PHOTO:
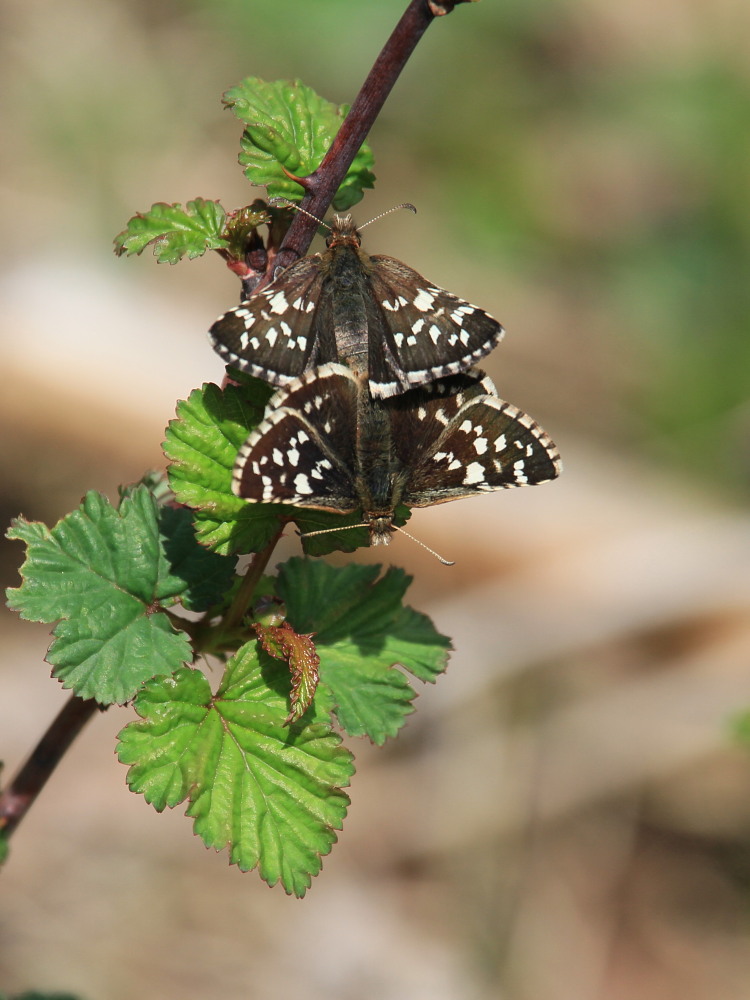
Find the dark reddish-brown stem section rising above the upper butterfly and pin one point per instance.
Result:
(322, 184)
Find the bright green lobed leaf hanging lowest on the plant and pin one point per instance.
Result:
(272, 795)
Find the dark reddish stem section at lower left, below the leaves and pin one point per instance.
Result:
(20, 794)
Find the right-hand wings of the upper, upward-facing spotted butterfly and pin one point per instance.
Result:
(419, 332)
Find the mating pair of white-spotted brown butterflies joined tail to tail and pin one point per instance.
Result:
(401, 420)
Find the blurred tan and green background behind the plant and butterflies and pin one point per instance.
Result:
(567, 814)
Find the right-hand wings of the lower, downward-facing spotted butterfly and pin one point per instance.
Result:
(482, 444)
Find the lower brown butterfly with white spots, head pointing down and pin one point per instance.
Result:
(325, 443)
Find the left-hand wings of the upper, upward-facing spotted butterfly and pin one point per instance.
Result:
(281, 332)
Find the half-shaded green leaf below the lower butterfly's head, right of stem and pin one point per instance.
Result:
(363, 634)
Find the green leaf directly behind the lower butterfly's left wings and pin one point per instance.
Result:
(202, 444)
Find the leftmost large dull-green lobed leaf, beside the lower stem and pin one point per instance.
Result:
(106, 573)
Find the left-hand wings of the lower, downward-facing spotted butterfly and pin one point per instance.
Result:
(304, 451)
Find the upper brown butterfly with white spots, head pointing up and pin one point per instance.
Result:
(372, 313)
